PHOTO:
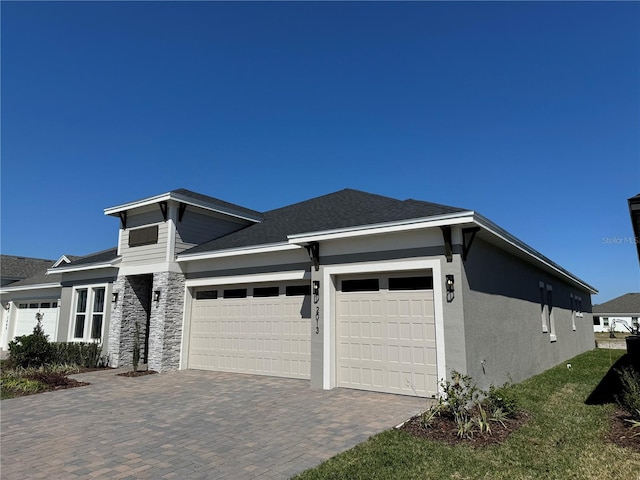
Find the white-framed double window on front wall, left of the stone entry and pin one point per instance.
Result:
(89, 313)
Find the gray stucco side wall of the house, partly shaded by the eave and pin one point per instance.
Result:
(503, 318)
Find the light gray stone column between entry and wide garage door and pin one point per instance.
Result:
(165, 333)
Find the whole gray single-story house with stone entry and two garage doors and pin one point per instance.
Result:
(349, 289)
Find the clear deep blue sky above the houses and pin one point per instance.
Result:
(527, 112)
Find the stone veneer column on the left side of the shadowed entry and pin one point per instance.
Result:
(131, 307)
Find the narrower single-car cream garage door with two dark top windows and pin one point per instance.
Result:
(386, 334)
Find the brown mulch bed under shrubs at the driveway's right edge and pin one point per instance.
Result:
(444, 429)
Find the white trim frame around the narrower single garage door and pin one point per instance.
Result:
(329, 380)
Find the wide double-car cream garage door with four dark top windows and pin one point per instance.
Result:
(260, 329)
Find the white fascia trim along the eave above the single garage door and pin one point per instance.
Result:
(391, 227)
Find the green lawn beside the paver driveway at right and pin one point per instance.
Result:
(563, 439)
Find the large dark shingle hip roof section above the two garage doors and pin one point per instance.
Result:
(346, 208)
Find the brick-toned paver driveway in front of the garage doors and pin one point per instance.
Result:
(188, 425)
